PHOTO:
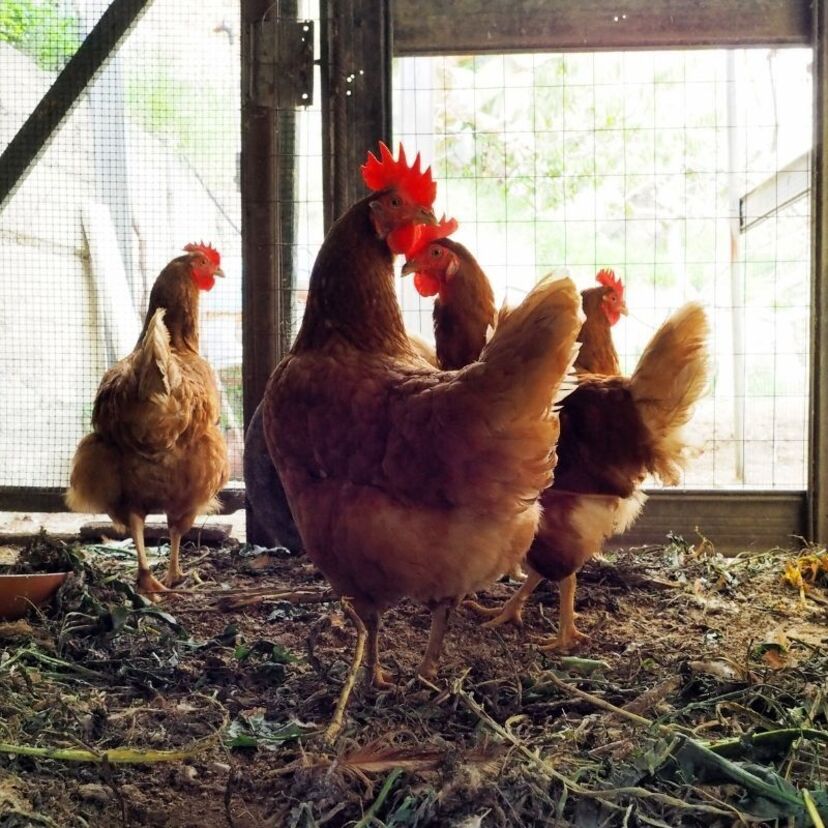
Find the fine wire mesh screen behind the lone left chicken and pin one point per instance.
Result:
(146, 162)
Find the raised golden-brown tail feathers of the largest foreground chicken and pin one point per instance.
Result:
(533, 346)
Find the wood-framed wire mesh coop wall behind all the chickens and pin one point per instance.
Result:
(680, 147)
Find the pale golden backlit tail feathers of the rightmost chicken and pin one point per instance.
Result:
(669, 379)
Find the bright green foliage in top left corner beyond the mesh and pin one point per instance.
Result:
(42, 30)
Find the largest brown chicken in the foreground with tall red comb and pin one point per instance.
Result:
(405, 480)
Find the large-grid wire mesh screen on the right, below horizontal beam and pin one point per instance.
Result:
(686, 172)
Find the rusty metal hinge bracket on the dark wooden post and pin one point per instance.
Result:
(282, 63)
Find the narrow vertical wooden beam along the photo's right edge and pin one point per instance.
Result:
(818, 465)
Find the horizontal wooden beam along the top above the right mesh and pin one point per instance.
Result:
(477, 26)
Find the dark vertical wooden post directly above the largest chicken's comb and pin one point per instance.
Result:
(356, 95)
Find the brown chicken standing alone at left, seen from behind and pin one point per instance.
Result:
(156, 444)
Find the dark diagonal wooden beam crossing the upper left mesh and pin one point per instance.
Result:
(37, 131)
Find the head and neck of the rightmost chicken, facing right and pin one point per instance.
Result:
(603, 307)
